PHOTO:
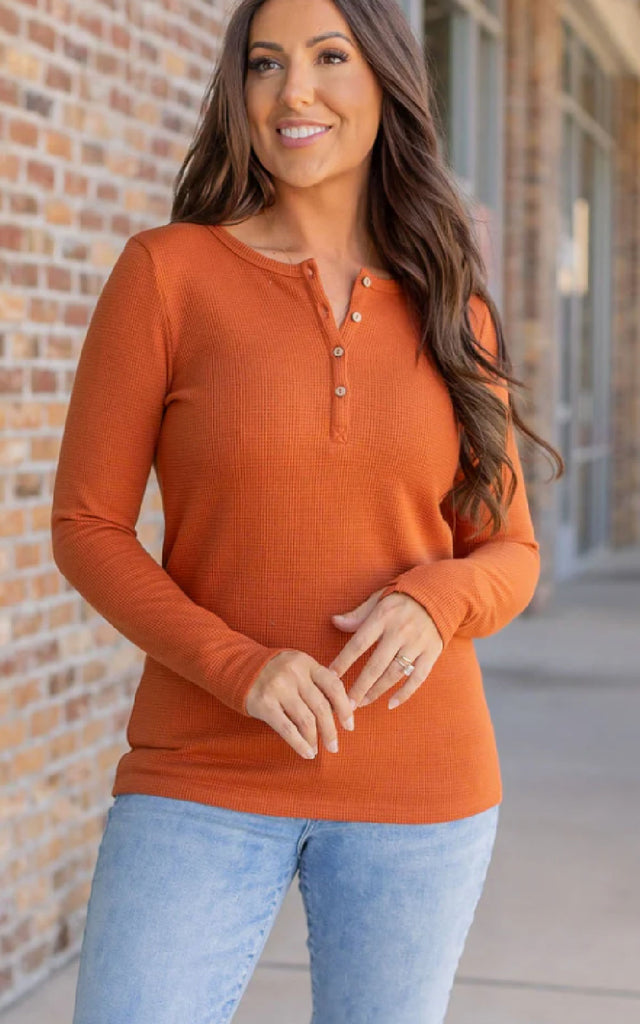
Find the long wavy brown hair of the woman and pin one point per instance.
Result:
(419, 222)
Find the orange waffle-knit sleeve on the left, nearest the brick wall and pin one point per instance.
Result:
(108, 449)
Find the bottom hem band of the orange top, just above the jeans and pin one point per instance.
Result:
(287, 805)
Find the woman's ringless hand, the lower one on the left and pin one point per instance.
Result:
(296, 696)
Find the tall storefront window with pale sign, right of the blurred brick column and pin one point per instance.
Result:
(584, 296)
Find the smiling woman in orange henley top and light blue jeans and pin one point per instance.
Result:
(309, 358)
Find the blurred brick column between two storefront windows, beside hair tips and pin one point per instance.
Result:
(533, 153)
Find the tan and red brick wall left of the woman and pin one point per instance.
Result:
(98, 104)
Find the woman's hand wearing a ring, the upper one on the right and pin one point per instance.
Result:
(403, 627)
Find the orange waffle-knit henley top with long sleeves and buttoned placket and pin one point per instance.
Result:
(303, 466)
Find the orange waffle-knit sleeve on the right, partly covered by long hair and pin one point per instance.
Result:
(488, 582)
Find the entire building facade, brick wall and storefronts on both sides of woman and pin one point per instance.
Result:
(540, 110)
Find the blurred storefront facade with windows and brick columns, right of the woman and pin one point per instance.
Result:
(538, 103)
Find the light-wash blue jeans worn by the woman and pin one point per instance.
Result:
(185, 895)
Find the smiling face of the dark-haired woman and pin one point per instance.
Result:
(327, 81)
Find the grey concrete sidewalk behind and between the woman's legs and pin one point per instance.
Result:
(557, 937)
